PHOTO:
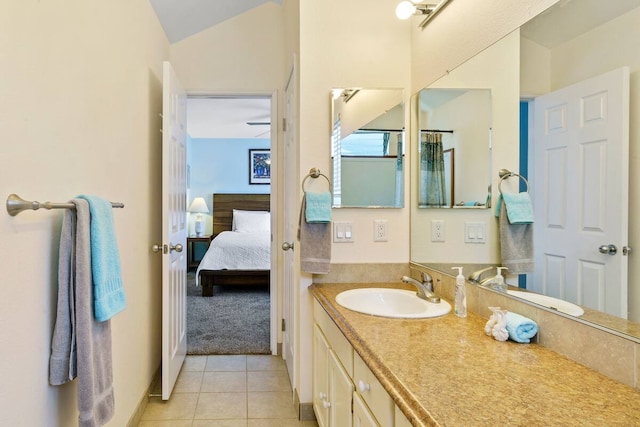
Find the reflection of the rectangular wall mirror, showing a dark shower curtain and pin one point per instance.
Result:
(455, 148)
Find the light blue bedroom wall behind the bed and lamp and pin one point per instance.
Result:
(221, 166)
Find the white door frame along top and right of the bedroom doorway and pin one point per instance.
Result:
(274, 294)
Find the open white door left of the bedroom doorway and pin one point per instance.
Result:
(174, 232)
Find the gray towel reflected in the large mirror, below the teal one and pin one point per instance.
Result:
(516, 244)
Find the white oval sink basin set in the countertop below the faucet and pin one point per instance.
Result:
(388, 302)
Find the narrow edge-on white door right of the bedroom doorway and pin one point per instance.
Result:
(290, 227)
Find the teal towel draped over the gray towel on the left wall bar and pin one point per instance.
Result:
(108, 295)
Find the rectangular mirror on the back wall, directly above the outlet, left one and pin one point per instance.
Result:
(367, 148)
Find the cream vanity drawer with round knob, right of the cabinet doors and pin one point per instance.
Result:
(372, 392)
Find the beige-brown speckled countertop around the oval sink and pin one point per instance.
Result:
(446, 372)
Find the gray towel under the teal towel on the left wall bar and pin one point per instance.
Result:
(81, 346)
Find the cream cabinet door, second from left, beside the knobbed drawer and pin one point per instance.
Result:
(340, 392)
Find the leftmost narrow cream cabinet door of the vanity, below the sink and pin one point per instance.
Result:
(320, 377)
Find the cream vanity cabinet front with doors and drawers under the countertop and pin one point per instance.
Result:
(345, 391)
